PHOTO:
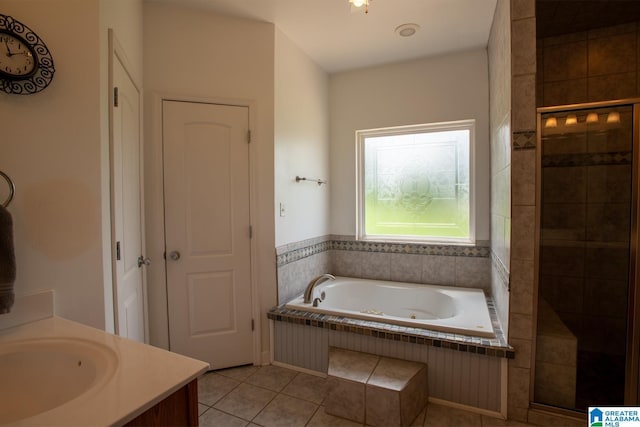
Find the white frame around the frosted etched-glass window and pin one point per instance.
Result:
(361, 135)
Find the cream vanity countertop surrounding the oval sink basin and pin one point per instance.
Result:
(143, 377)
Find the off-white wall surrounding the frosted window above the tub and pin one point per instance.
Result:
(444, 88)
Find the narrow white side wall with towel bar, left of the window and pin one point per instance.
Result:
(301, 143)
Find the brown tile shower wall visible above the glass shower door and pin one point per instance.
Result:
(589, 66)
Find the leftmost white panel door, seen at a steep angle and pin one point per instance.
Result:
(127, 207)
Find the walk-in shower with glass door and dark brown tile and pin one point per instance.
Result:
(587, 310)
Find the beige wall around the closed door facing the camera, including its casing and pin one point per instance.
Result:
(190, 53)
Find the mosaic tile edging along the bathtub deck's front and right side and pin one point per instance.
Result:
(496, 347)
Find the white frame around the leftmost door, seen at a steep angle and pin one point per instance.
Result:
(117, 53)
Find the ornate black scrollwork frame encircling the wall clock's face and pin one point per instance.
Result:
(43, 71)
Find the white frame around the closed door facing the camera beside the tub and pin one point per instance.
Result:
(155, 216)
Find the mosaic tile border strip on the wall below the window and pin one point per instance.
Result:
(382, 247)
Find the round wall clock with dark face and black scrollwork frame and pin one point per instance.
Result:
(26, 64)
